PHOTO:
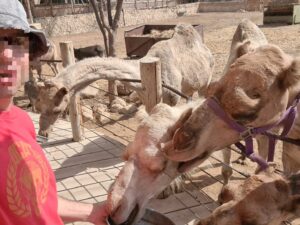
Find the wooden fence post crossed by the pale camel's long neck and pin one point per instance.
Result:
(67, 56)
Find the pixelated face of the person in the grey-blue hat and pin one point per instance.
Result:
(14, 61)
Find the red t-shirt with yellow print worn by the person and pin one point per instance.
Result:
(27, 184)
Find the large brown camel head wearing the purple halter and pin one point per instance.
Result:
(254, 92)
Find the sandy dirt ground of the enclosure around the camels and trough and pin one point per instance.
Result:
(218, 32)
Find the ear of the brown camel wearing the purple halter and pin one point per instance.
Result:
(291, 76)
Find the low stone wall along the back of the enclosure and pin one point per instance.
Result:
(83, 23)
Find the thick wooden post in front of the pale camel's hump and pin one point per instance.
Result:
(150, 68)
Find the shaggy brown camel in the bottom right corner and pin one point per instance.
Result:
(264, 199)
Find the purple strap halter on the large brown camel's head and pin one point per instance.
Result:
(247, 133)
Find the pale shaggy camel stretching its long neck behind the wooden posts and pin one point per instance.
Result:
(186, 64)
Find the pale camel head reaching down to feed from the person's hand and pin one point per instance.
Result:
(147, 171)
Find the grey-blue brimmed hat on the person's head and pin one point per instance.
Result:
(13, 16)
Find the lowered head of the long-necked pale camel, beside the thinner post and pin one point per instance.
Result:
(52, 101)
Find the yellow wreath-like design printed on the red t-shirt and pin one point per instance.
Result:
(27, 180)
